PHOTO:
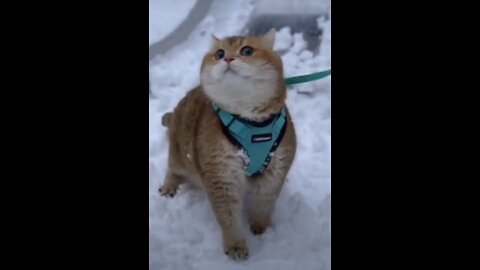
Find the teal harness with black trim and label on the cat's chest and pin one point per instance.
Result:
(257, 139)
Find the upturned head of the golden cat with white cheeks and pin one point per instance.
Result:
(244, 75)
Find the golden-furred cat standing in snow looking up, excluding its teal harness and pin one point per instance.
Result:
(242, 76)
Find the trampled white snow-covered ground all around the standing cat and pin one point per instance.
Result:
(183, 233)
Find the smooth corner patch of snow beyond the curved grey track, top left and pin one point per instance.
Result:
(163, 20)
